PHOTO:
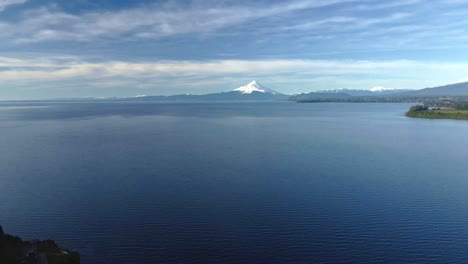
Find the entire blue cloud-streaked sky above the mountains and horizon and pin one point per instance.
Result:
(105, 48)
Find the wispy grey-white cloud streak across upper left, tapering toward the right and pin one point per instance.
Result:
(150, 21)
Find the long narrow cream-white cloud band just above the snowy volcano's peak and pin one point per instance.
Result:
(50, 69)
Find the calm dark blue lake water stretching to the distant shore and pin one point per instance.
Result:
(236, 182)
